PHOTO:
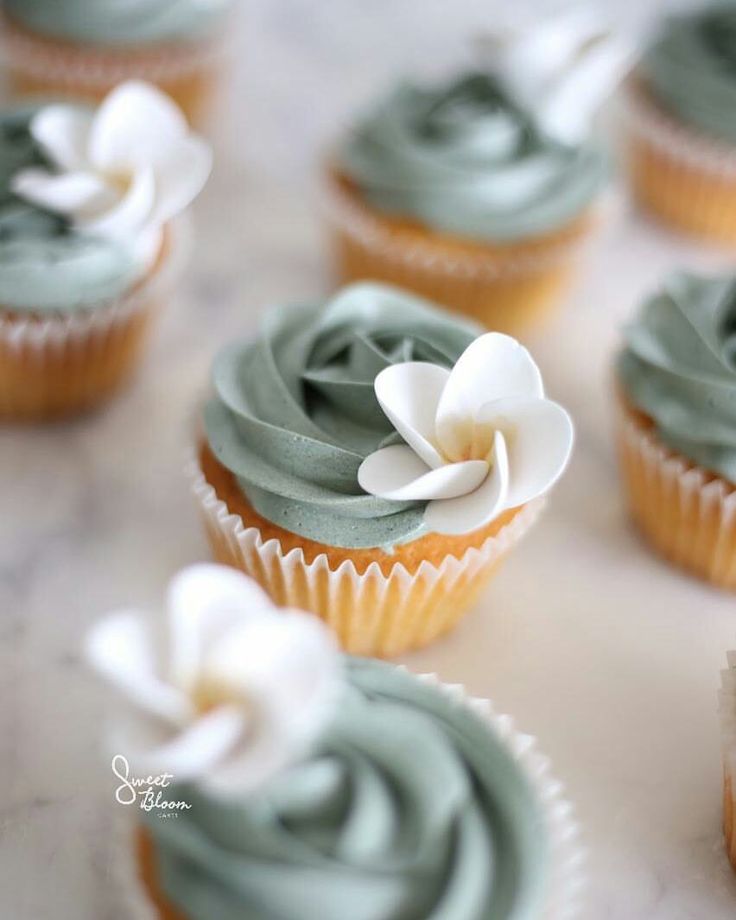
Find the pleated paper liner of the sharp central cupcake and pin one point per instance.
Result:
(371, 613)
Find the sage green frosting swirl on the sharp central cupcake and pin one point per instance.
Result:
(294, 412)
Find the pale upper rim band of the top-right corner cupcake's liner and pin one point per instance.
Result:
(675, 140)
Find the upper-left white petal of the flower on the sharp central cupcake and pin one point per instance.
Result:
(409, 394)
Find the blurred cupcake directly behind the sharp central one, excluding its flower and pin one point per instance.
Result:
(457, 192)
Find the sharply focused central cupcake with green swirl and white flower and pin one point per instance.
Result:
(372, 459)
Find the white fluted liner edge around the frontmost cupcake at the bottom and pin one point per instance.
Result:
(566, 871)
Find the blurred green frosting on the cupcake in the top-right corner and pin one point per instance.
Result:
(691, 69)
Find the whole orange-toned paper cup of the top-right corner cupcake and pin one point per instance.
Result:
(685, 179)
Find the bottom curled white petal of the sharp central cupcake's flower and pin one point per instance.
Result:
(469, 512)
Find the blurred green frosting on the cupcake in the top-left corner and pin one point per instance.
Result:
(120, 22)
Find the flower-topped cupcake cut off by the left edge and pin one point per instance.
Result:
(87, 243)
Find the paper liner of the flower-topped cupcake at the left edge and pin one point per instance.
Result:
(59, 364)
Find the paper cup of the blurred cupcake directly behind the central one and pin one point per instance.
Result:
(510, 288)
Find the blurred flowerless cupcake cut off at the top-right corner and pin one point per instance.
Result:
(682, 124)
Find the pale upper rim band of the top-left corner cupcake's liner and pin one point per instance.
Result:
(68, 66)
